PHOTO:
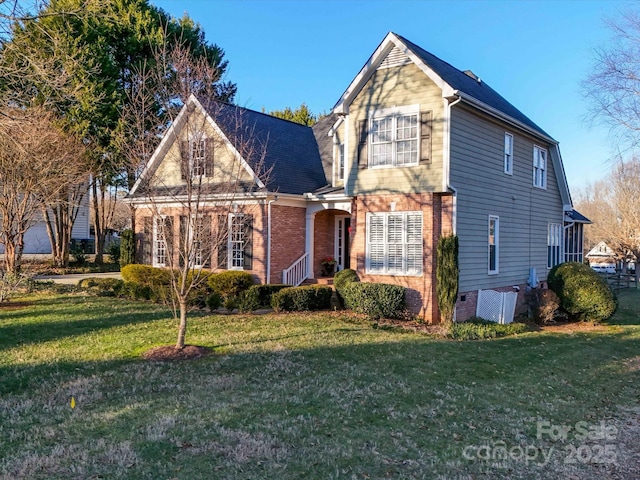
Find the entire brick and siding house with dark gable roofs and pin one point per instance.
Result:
(414, 149)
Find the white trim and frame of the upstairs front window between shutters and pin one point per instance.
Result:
(394, 113)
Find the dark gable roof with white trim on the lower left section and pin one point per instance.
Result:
(286, 152)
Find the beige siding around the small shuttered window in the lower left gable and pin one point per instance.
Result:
(226, 167)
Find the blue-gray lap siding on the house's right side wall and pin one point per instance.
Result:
(477, 155)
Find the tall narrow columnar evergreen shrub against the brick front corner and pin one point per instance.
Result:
(447, 276)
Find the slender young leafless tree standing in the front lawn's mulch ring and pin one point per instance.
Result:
(186, 217)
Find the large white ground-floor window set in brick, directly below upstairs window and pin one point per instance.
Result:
(394, 243)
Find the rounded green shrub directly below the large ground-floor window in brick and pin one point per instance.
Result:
(376, 300)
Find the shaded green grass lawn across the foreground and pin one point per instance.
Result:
(318, 396)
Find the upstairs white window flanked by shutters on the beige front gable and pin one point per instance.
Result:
(394, 137)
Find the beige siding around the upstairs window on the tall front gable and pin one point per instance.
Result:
(389, 87)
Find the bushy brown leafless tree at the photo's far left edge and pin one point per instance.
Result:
(36, 158)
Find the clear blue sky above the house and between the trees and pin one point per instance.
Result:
(534, 53)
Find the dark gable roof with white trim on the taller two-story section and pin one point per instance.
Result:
(452, 81)
